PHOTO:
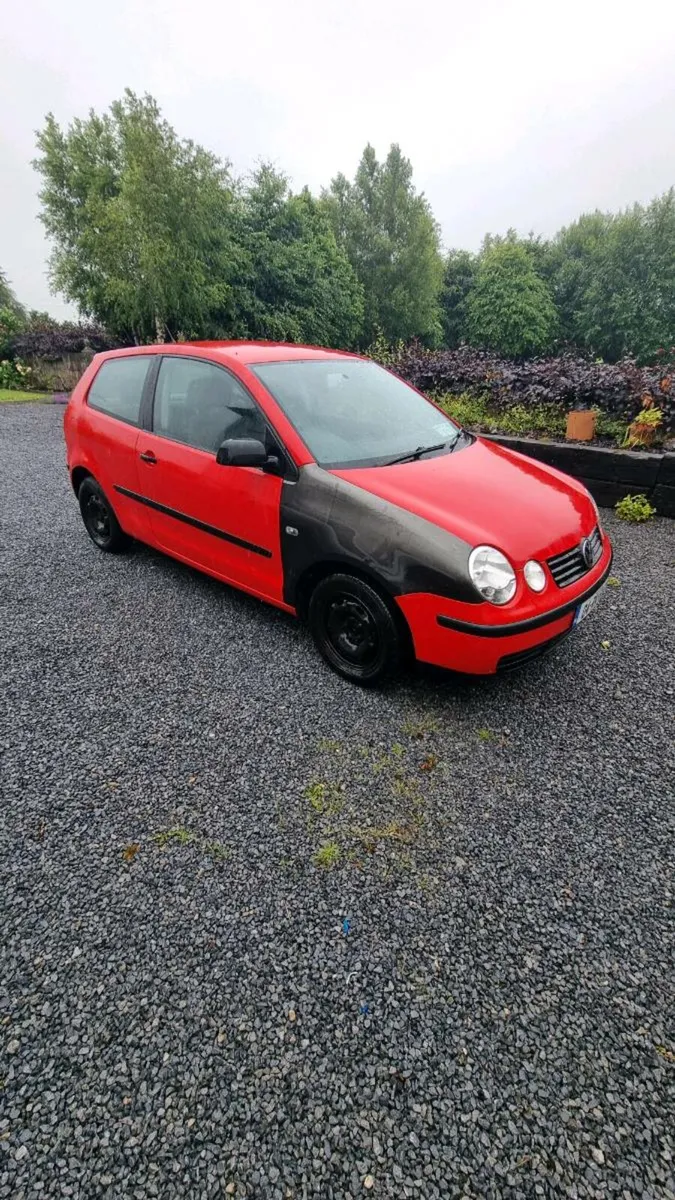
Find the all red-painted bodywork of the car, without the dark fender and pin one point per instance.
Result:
(483, 495)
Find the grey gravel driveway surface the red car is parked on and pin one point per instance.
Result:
(475, 1000)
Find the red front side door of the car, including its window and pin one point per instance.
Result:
(222, 519)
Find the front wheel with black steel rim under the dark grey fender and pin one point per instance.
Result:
(356, 629)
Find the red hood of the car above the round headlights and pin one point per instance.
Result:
(486, 494)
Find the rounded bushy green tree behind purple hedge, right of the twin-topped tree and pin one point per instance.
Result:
(511, 309)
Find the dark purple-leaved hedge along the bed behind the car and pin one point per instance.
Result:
(566, 381)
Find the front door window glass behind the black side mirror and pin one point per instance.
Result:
(204, 405)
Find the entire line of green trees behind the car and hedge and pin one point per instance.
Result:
(154, 238)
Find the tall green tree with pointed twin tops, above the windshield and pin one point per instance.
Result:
(392, 242)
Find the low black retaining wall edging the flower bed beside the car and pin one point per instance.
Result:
(608, 475)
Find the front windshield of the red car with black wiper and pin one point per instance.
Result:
(351, 413)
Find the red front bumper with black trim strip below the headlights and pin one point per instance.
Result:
(445, 637)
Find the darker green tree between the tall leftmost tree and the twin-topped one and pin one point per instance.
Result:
(294, 283)
